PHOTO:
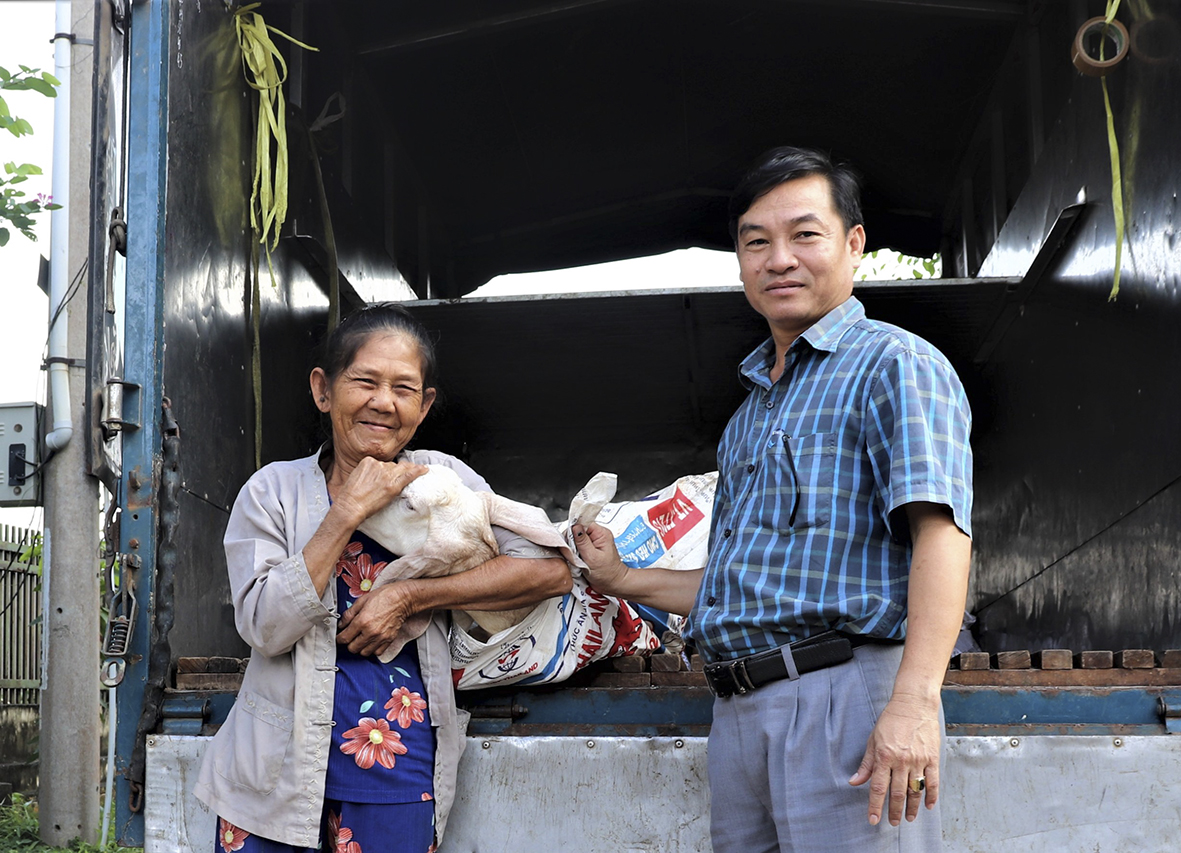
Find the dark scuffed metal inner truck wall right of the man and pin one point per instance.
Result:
(1079, 477)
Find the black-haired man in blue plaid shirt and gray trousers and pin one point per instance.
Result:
(839, 549)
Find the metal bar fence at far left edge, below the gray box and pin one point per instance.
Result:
(21, 618)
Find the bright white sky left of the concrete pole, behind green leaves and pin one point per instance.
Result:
(25, 30)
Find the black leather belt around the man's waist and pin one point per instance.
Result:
(743, 675)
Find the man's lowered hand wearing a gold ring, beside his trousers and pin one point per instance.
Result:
(904, 746)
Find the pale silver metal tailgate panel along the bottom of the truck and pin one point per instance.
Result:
(1042, 795)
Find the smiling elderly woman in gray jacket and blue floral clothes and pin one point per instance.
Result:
(328, 748)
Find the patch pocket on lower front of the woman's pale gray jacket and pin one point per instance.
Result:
(259, 746)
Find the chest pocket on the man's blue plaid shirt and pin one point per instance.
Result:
(806, 470)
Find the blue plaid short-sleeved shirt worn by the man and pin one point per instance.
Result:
(805, 537)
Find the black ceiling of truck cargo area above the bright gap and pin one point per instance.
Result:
(528, 136)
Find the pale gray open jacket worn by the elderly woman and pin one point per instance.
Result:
(265, 770)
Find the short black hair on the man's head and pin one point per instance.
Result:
(788, 164)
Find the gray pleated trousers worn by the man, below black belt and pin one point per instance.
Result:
(781, 757)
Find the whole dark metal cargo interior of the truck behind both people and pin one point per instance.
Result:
(479, 140)
